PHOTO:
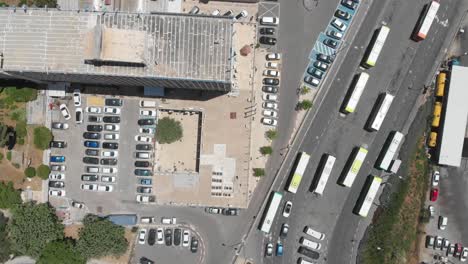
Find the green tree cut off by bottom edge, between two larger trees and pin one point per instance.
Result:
(59, 252)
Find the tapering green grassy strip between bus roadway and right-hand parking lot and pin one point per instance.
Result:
(395, 230)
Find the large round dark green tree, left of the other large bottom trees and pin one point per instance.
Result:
(32, 227)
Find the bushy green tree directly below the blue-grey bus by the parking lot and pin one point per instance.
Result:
(100, 237)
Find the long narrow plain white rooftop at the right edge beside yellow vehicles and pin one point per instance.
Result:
(456, 112)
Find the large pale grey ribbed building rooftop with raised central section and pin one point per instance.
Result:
(139, 45)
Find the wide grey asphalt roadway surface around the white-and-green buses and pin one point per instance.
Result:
(403, 69)
